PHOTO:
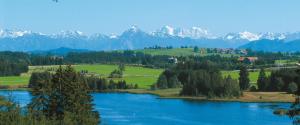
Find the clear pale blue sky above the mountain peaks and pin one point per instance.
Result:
(115, 16)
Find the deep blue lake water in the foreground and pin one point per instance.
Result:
(144, 109)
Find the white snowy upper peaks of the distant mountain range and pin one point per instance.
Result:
(166, 31)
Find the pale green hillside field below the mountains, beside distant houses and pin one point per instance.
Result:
(179, 52)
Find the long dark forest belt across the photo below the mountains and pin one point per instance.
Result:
(14, 63)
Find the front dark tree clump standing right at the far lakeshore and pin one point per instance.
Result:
(210, 84)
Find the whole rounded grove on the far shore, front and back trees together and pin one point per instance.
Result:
(199, 79)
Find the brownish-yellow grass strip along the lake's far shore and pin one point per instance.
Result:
(246, 97)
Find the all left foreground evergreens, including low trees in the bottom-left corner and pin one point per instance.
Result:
(59, 99)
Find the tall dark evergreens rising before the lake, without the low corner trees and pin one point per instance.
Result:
(67, 97)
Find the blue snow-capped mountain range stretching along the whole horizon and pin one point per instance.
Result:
(135, 38)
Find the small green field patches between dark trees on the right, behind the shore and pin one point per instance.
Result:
(253, 75)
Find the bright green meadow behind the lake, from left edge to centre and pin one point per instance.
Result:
(144, 77)
